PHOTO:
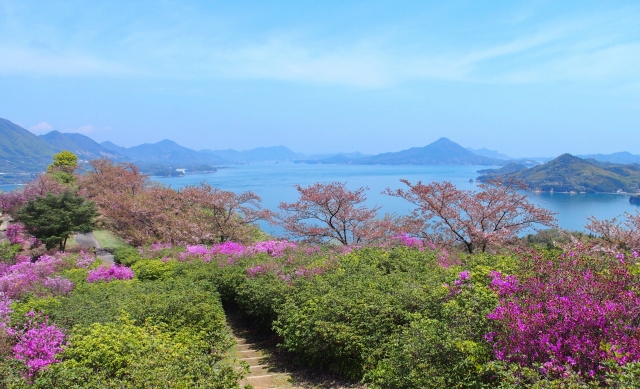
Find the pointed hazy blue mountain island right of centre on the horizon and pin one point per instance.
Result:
(441, 152)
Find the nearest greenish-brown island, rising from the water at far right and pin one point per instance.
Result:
(569, 173)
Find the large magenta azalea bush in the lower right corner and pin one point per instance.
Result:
(566, 316)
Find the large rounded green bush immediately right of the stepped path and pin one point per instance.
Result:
(338, 320)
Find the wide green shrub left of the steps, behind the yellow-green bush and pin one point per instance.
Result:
(178, 304)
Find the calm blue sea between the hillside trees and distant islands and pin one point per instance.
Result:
(274, 183)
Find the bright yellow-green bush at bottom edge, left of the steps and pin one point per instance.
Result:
(124, 355)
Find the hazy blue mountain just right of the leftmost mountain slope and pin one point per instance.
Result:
(81, 145)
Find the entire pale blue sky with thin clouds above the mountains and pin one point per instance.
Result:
(535, 78)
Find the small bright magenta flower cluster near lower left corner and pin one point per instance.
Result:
(38, 343)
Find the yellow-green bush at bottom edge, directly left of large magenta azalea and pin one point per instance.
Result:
(449, 352)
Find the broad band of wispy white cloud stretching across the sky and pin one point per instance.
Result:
(586, 48)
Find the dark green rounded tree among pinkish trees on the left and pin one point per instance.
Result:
(53, 218)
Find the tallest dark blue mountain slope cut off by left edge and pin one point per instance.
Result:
(22, 151)
